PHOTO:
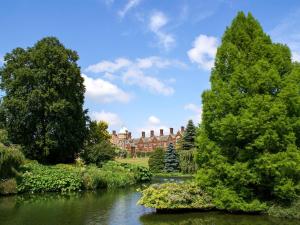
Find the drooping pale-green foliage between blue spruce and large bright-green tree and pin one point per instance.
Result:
(187, 161)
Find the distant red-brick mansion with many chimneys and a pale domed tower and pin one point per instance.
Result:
(145, 144)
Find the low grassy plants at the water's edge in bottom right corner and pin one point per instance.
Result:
(291, 211)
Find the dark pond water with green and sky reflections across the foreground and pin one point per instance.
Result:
(109, 207)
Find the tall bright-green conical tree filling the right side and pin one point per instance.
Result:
(249, 139)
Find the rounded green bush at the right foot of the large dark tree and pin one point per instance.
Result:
(98, 153)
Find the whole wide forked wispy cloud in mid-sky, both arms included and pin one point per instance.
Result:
(133, 72)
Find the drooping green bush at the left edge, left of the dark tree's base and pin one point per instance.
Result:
(11, 158)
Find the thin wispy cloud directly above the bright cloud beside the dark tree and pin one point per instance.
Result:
(108, 66)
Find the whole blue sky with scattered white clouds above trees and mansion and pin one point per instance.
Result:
(145, 63)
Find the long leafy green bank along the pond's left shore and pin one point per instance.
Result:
(34, 177)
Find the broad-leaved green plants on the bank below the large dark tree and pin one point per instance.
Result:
(59, 178)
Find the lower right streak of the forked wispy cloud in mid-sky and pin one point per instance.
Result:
(137, 77)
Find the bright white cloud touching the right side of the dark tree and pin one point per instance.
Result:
(104, 91)
